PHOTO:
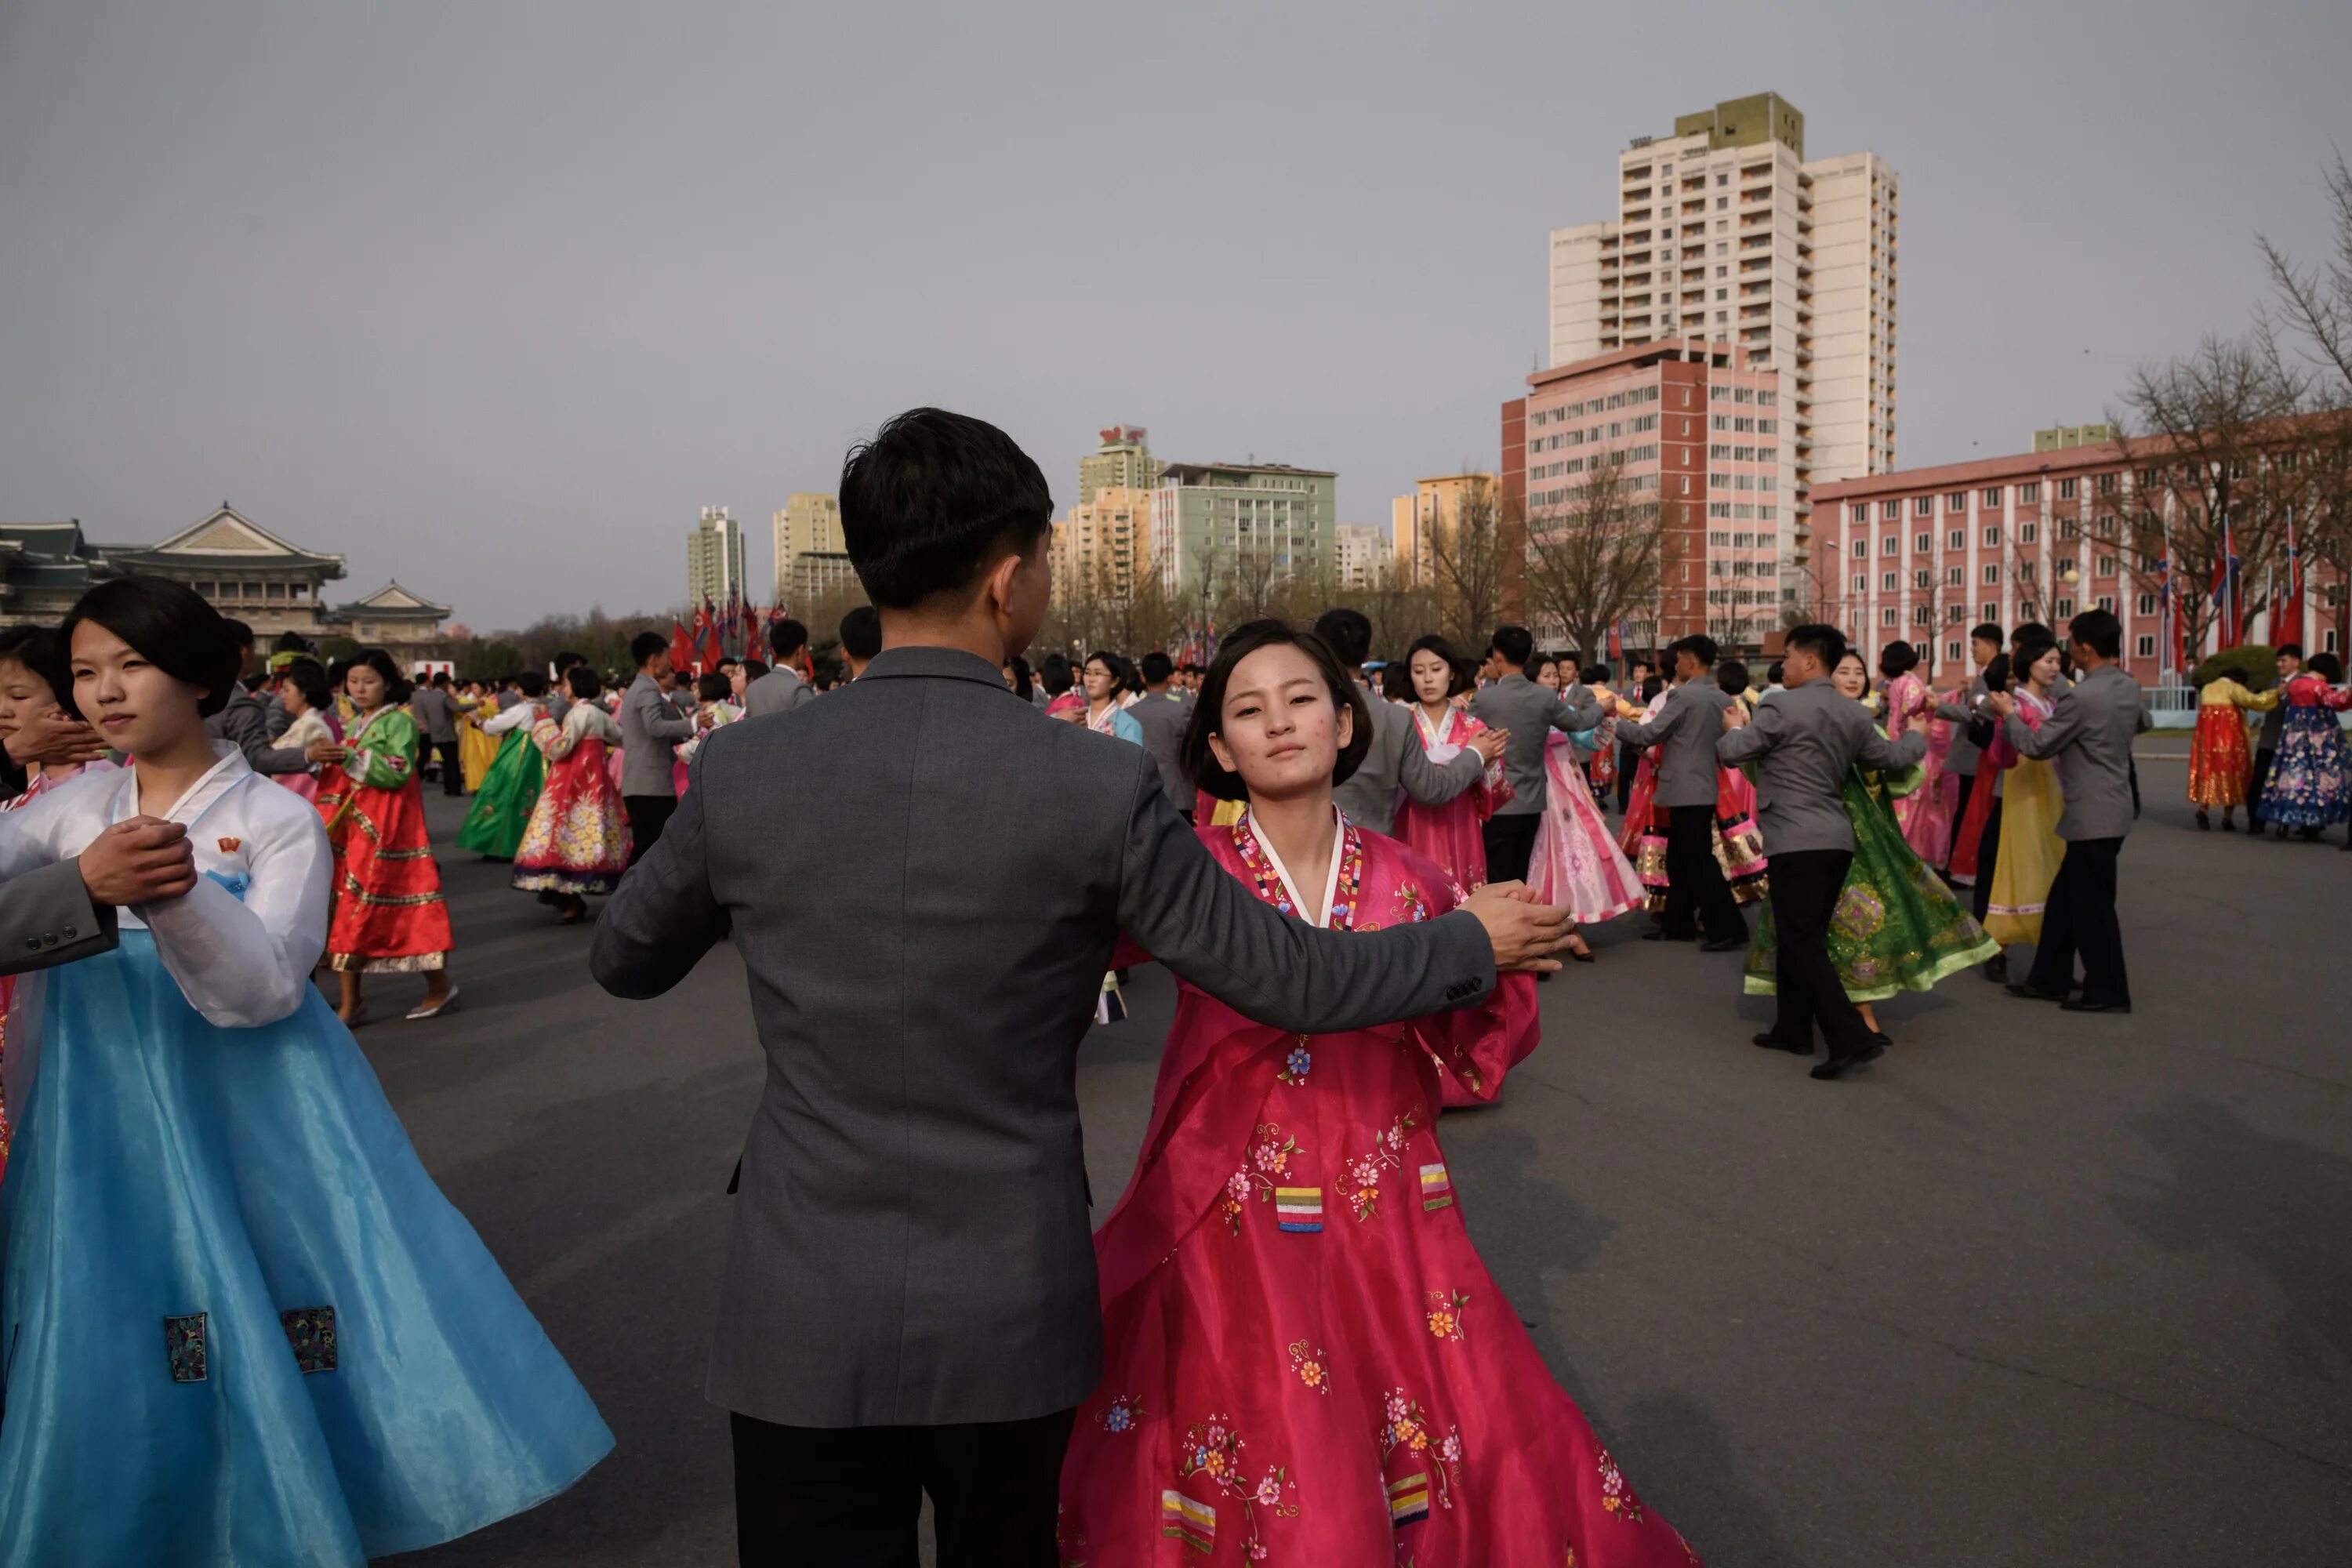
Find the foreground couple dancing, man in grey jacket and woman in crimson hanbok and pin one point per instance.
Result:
(1309, 1365)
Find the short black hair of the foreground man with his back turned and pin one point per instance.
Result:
(933, 502)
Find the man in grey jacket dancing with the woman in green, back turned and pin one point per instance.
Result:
(1805, 742)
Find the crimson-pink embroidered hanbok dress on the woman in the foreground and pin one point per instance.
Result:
(1307, 1362)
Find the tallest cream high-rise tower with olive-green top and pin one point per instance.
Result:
(1728, 234)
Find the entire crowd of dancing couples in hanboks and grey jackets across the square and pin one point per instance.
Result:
(246, 1327)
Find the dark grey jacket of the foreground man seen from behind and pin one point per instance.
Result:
(926, 880)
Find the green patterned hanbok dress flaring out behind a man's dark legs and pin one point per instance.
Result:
(1897, 925)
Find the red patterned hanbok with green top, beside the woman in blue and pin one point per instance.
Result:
(389, 911)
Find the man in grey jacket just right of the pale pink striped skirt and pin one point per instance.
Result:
(1685, 728)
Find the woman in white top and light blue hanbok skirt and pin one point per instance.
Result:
(241, 1322)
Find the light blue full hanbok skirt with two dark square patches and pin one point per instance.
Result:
(239, 1320)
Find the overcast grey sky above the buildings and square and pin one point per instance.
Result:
(495, 297)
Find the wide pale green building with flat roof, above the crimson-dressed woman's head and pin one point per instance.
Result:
(1217, 521)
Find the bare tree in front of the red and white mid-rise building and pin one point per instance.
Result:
(1596, 558)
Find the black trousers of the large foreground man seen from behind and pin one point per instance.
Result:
(850, 1499)
